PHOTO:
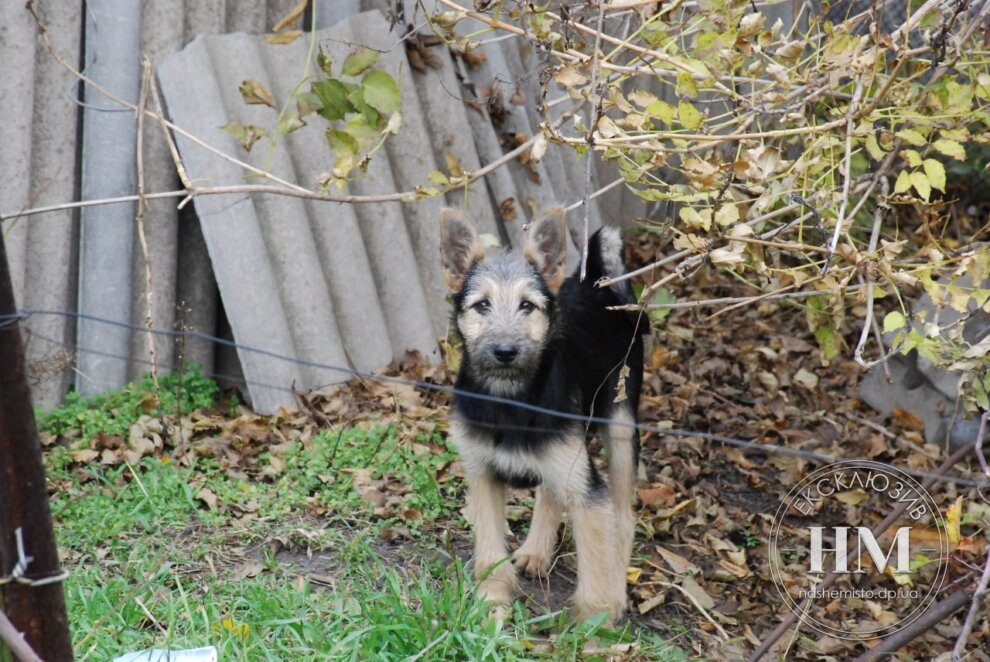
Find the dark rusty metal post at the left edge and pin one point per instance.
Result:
(38, 611)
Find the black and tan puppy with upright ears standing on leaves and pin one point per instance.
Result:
(551, 344)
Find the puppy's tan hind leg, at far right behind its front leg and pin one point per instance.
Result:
(622, 446)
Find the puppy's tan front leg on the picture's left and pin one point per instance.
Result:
(491, 564)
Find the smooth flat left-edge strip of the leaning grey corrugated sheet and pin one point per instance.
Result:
(232, 229)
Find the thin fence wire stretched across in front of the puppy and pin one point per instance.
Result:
(8, 322)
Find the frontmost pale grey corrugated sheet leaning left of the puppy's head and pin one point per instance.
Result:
(334, 285)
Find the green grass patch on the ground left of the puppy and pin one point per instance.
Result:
(152, 566)
